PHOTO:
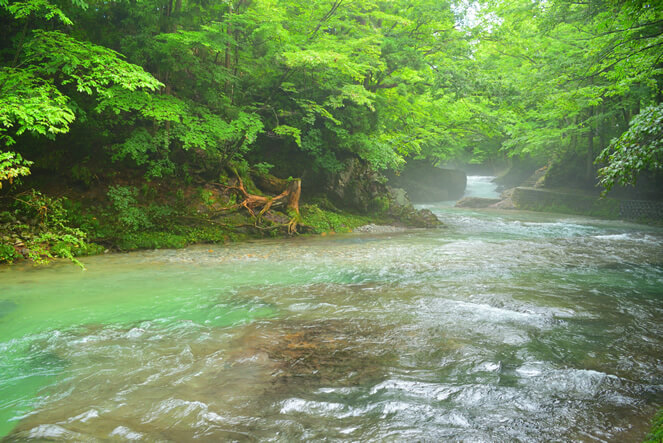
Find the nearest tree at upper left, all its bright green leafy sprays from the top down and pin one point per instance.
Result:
(47, 69)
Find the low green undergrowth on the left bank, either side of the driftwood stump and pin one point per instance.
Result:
(40, 228)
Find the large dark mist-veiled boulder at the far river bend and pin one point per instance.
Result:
(426, 183)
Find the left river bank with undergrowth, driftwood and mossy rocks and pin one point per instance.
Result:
(73, 222)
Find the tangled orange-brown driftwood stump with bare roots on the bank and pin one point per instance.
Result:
(258, 205)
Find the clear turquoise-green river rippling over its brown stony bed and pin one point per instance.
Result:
(502, 326)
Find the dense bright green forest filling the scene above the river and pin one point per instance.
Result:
(134, 108)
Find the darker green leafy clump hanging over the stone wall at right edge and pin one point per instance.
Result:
(636, 150)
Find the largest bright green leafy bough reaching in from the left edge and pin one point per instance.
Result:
(31, 101)
